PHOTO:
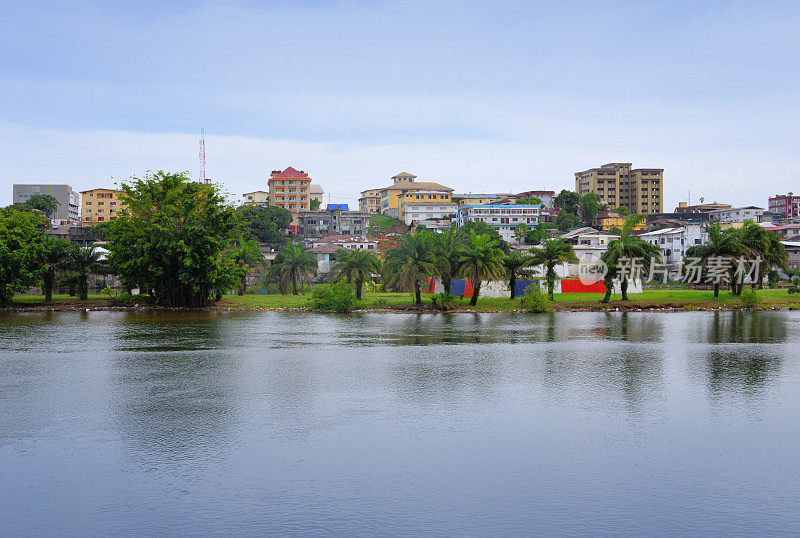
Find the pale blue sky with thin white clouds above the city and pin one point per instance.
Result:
(479, 96)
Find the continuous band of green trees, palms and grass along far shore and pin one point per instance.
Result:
(181, 245)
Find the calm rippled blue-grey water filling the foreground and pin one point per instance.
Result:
(492, 424)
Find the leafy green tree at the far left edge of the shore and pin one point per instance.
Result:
(21, 240)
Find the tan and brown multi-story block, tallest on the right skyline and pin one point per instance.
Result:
(641, 190)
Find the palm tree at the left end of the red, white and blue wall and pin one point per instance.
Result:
(411, 262)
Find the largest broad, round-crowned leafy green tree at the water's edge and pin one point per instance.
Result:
(174, 239)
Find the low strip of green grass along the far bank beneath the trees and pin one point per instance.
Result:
(654, 299)
